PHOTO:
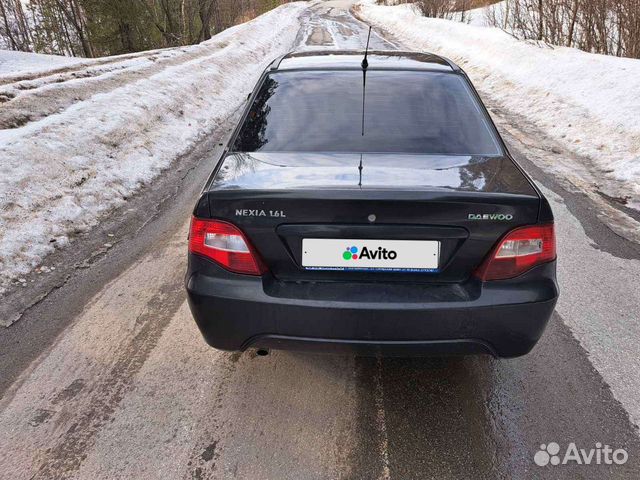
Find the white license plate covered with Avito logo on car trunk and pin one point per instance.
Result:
(351, 254)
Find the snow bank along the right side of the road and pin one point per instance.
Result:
(589, 103)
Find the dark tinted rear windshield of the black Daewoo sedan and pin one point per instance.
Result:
(392, 111)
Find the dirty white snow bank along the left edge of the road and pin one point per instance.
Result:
(60, 173)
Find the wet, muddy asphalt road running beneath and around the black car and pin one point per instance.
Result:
(107, 376)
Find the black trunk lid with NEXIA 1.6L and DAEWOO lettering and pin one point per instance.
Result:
(464, 203)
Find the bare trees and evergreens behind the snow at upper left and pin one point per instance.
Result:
(93, 28)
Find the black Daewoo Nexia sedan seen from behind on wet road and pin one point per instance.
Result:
(370, 207)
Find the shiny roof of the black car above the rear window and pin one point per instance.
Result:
(352, 59)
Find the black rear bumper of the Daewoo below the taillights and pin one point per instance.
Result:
(504, 319)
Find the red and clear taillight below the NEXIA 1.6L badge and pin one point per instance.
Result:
(226, 245)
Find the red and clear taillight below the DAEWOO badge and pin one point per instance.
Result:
(519, 251)
